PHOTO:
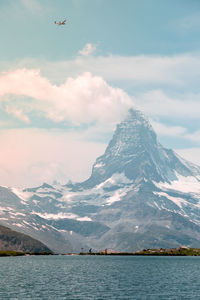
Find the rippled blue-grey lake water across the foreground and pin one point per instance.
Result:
(99, 277)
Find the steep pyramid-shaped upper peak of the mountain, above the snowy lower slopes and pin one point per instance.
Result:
(135, 151)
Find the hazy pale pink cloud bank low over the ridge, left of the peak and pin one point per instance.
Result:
(29, 157)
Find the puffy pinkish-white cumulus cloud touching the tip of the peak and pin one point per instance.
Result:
(83, 99)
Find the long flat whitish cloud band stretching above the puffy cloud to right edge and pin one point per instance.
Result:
(179, 71)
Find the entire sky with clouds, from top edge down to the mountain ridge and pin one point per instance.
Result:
(63, 89)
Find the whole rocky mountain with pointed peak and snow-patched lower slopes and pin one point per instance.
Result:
(139, 195)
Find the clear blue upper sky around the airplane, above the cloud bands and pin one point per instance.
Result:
(132, 27)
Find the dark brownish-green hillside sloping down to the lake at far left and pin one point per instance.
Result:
(15, 241)
